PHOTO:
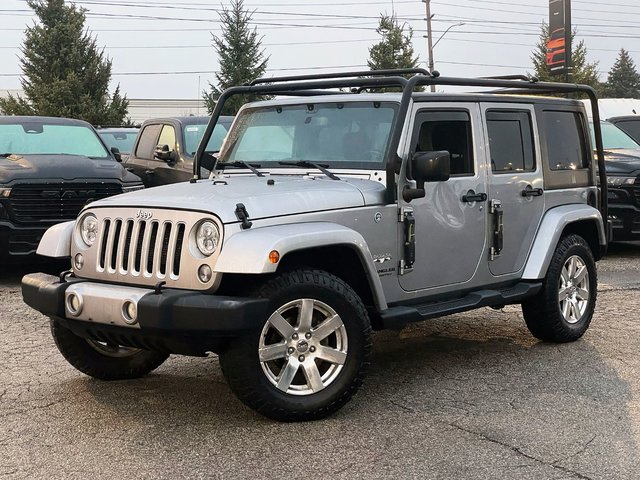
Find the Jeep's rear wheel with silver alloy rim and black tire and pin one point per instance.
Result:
(562, 310)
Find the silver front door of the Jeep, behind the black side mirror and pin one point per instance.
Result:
(450, 221)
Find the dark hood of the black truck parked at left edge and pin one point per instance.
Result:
(61, 167)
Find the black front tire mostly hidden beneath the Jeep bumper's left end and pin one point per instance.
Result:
(84, 357)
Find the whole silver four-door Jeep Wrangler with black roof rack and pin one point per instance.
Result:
(329, 215)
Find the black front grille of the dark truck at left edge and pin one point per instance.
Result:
(53, 203)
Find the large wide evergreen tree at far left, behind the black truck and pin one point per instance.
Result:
(65, 74)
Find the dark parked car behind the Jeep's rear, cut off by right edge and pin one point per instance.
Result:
(622, 155)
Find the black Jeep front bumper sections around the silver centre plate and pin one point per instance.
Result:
(173, 321)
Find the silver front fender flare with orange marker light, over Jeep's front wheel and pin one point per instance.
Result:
(247, 252)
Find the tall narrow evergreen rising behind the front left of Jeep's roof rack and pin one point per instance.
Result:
(240, 56)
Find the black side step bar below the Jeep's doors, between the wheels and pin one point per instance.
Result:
(397, 317)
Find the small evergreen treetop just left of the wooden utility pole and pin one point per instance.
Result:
(395, 49)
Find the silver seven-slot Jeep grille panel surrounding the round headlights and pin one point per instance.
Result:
(144, 246)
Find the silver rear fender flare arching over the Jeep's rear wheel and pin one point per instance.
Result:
(548, 236)
